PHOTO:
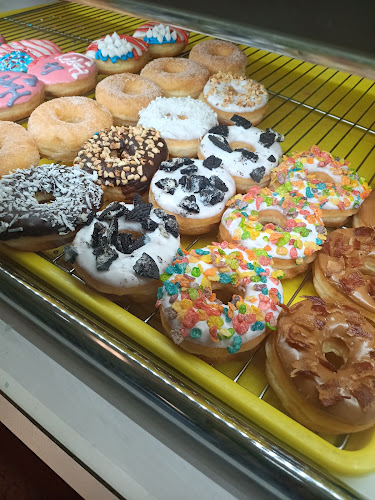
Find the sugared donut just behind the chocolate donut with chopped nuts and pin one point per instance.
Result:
(60, 127)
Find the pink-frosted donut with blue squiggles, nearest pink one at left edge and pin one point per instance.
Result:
(20, 94)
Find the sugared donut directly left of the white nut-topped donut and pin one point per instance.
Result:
(177, 77)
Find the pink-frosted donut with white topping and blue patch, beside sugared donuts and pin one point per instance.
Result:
(65, 74)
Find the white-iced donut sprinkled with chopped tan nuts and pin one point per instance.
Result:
(228, 95)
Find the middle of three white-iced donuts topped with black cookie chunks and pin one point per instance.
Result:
(194, 191)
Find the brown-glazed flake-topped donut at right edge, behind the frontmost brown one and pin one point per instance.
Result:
(344, 270)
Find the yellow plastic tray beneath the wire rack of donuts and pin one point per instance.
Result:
(310, 104)
